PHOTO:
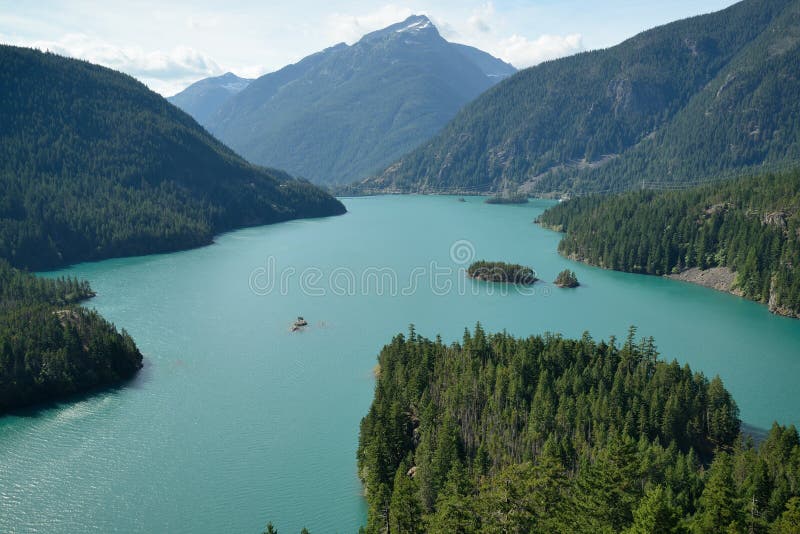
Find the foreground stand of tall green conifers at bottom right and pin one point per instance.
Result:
(544, 434)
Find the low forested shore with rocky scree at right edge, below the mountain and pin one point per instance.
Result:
(750, 226)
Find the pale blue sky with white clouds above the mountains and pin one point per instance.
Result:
(169, 45)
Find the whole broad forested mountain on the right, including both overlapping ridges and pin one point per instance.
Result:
(667, 104)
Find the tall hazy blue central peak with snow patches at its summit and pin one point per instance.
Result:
(348, 111)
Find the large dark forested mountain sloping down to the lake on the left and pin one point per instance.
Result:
(94, 165)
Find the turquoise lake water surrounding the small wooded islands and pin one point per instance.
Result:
(236, 421)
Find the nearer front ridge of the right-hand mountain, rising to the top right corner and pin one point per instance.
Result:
(748, 115)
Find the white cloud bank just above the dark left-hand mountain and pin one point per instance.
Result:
(164, 72)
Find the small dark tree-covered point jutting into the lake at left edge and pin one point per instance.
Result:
(49, 347)
